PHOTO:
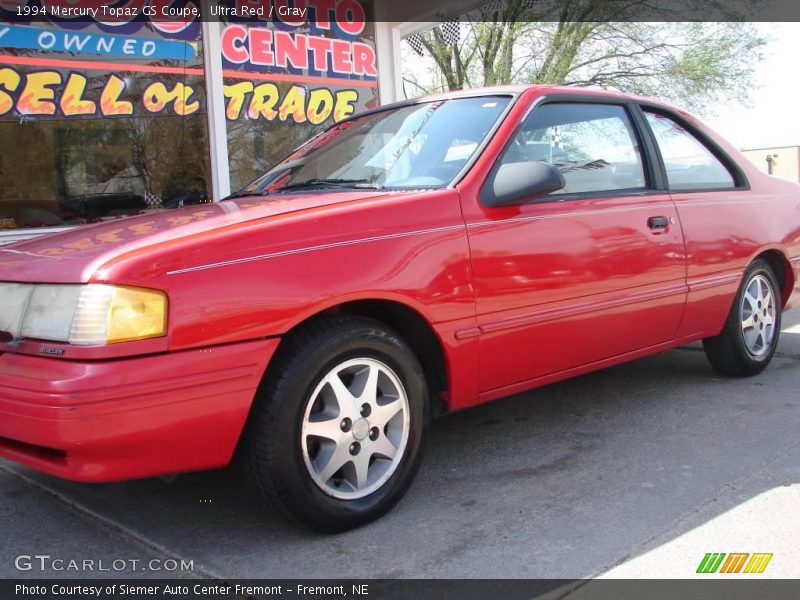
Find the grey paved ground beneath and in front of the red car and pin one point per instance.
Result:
(633, 471)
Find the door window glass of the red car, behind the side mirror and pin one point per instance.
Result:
(594, 146)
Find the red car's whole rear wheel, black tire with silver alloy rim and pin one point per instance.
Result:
(748, 341)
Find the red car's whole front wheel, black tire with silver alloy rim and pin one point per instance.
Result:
(335, 435)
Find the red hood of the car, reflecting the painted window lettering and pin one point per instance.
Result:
(74, 256)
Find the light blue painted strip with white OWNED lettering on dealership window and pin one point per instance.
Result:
(54, 40)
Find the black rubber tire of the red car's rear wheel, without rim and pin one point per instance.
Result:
(728, 352)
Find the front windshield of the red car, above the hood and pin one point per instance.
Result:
(418, 146)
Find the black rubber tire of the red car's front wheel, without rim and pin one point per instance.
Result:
(272, 445)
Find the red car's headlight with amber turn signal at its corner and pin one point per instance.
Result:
(84, 315)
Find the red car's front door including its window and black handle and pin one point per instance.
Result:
(593, 271)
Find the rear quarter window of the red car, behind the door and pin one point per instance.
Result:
(689, 164)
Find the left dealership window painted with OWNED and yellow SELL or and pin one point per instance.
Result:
(99, 121)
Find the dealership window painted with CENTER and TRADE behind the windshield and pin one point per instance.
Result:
(285, 81)
